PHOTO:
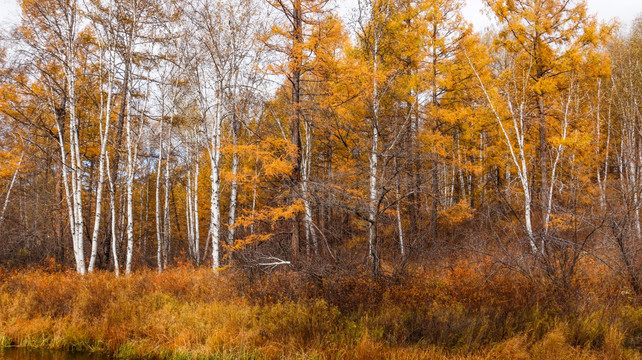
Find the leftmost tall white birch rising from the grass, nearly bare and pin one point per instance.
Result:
(51, 31)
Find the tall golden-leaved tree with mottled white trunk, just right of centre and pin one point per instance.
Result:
(389, 97)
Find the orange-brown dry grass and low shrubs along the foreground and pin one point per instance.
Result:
(463, 312)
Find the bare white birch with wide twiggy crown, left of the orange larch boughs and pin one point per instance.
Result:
(224, 32)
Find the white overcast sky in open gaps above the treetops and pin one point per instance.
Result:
(624, 10)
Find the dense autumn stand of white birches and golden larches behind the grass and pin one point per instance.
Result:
(141, 133)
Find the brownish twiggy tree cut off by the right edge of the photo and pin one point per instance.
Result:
(625, 100)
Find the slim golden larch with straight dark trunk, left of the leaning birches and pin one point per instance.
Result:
(443, 30)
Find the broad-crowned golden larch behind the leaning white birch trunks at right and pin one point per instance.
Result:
(547, 45)
